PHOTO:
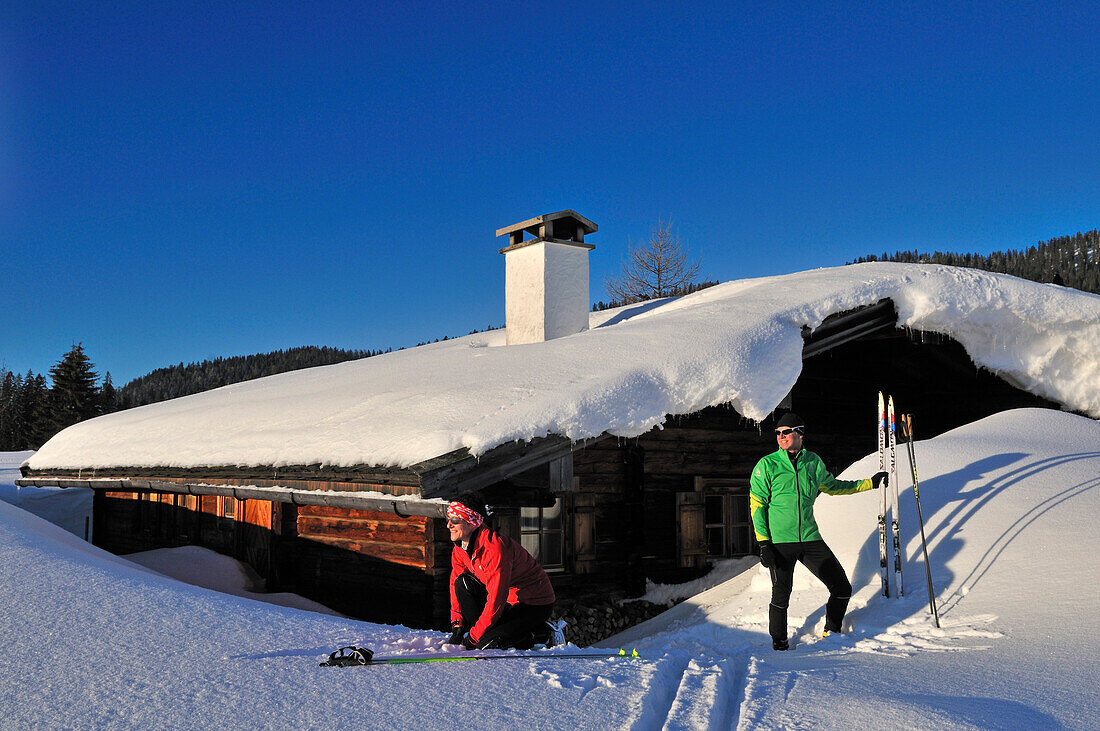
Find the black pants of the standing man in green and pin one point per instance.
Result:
(821, 562)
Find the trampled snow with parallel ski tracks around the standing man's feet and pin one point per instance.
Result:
(719, 682)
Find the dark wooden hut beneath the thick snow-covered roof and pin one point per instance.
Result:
(602, 515)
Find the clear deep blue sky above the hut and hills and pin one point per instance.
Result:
(182, 182)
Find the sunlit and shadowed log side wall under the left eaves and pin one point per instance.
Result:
(375, 566)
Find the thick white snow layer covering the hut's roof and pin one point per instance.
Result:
(738, 344)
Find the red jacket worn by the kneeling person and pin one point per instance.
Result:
(509, 572)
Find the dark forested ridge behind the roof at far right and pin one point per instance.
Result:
(1069, 261)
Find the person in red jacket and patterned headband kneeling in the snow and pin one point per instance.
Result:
(500, 593)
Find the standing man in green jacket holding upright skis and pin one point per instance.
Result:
(783, 492)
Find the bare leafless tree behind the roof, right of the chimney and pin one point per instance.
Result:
(657, 269)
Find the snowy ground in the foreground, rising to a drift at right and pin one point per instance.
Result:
(1011, 506)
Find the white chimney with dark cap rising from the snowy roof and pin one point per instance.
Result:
(547, 279)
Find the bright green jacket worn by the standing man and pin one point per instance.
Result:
(783, 494)
